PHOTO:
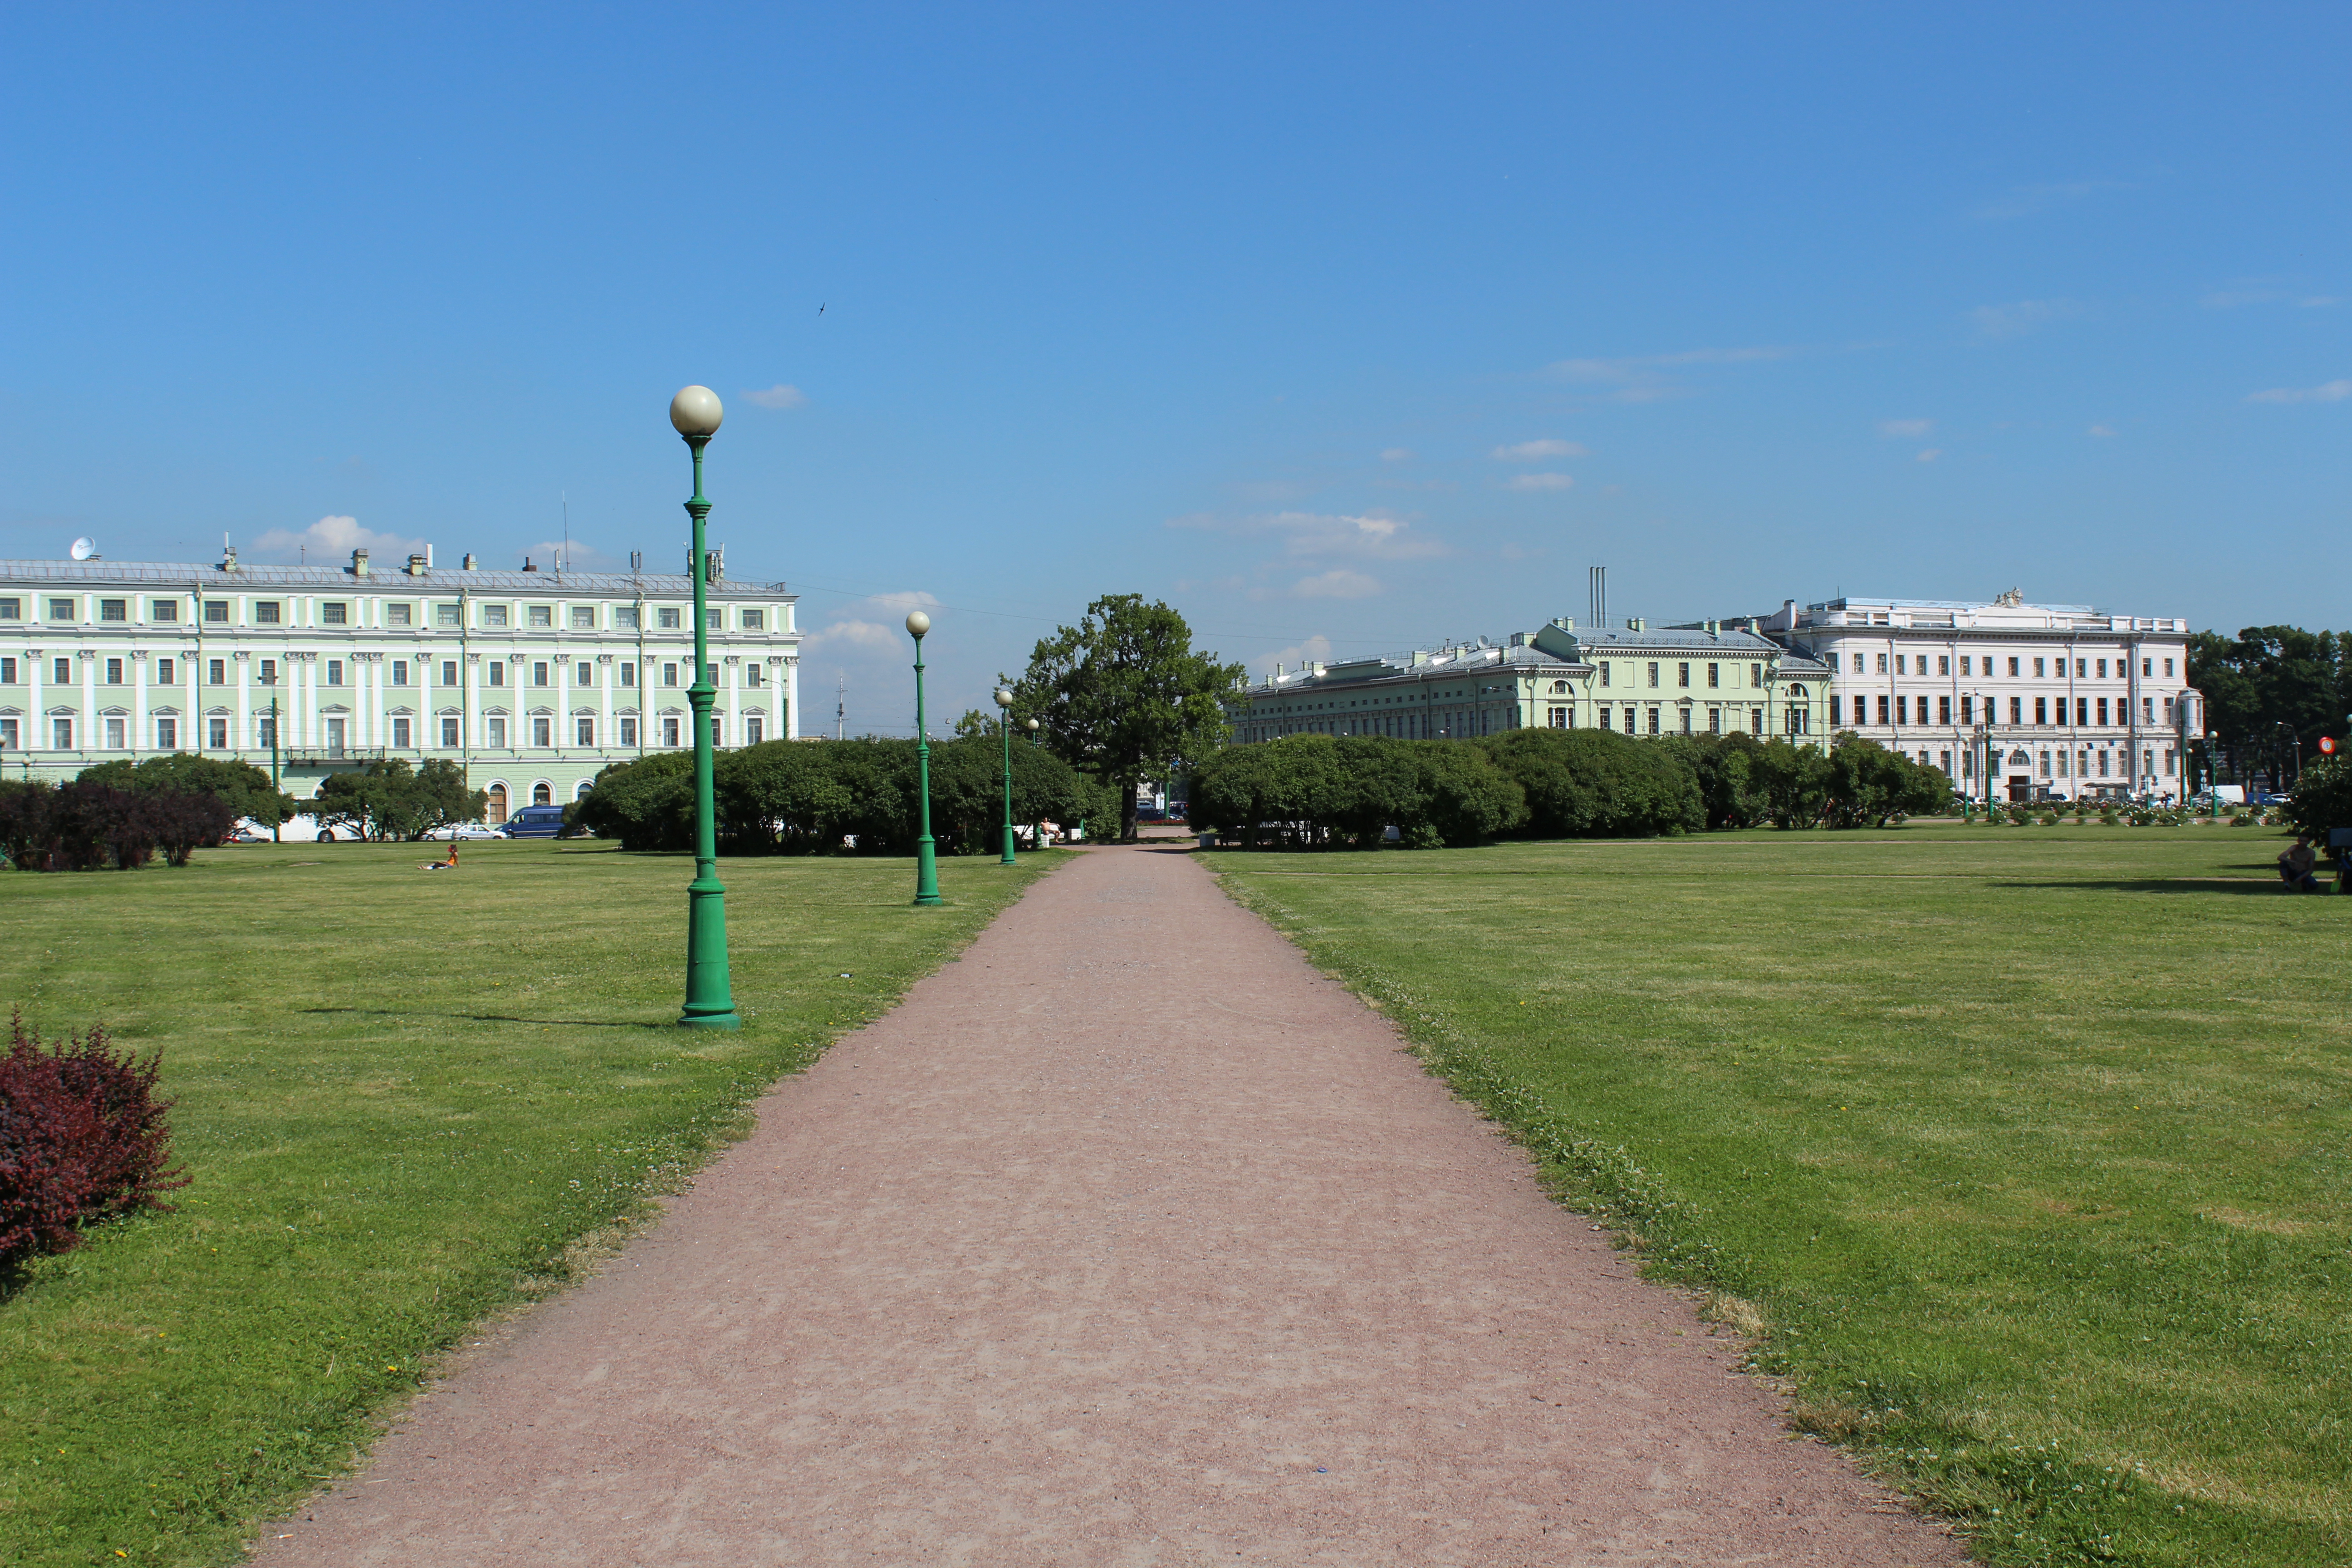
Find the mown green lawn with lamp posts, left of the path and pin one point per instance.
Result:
(408, 1101)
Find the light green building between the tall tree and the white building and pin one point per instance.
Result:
(1633, 681)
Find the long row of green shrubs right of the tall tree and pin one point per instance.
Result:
(1546, 784)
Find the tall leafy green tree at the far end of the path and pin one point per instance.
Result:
(1125, 697)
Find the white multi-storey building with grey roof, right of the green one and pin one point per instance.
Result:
(2003, 695)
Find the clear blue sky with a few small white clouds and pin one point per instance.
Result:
(1342, 328)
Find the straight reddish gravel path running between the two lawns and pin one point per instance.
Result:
(1125, 1240)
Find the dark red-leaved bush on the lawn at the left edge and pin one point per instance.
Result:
(81, 1139)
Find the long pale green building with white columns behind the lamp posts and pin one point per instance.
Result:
(530, 681)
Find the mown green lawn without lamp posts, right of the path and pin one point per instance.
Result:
(2026, 1146)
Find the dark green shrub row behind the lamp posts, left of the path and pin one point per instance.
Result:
(801, 798)
